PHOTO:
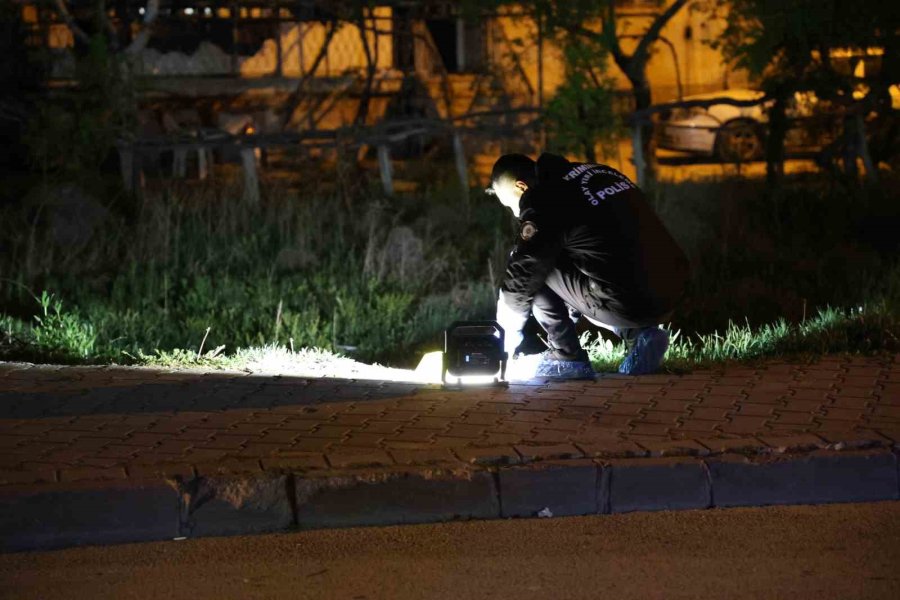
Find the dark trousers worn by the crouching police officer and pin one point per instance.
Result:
(566, 294)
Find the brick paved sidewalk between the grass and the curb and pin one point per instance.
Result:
(82, 424)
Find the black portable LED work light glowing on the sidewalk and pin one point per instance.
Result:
(473, 353)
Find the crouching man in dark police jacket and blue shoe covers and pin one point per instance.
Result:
(589, 244)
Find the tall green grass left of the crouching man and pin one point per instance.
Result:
(370, 276)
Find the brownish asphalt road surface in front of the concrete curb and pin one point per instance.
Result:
(838, 551)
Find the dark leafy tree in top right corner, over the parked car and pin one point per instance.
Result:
(789, 47)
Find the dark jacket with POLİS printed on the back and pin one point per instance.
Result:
(591, 219)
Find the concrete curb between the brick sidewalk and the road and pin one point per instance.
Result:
(45, 517)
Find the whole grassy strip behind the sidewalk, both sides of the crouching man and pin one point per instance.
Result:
(196, 276)
